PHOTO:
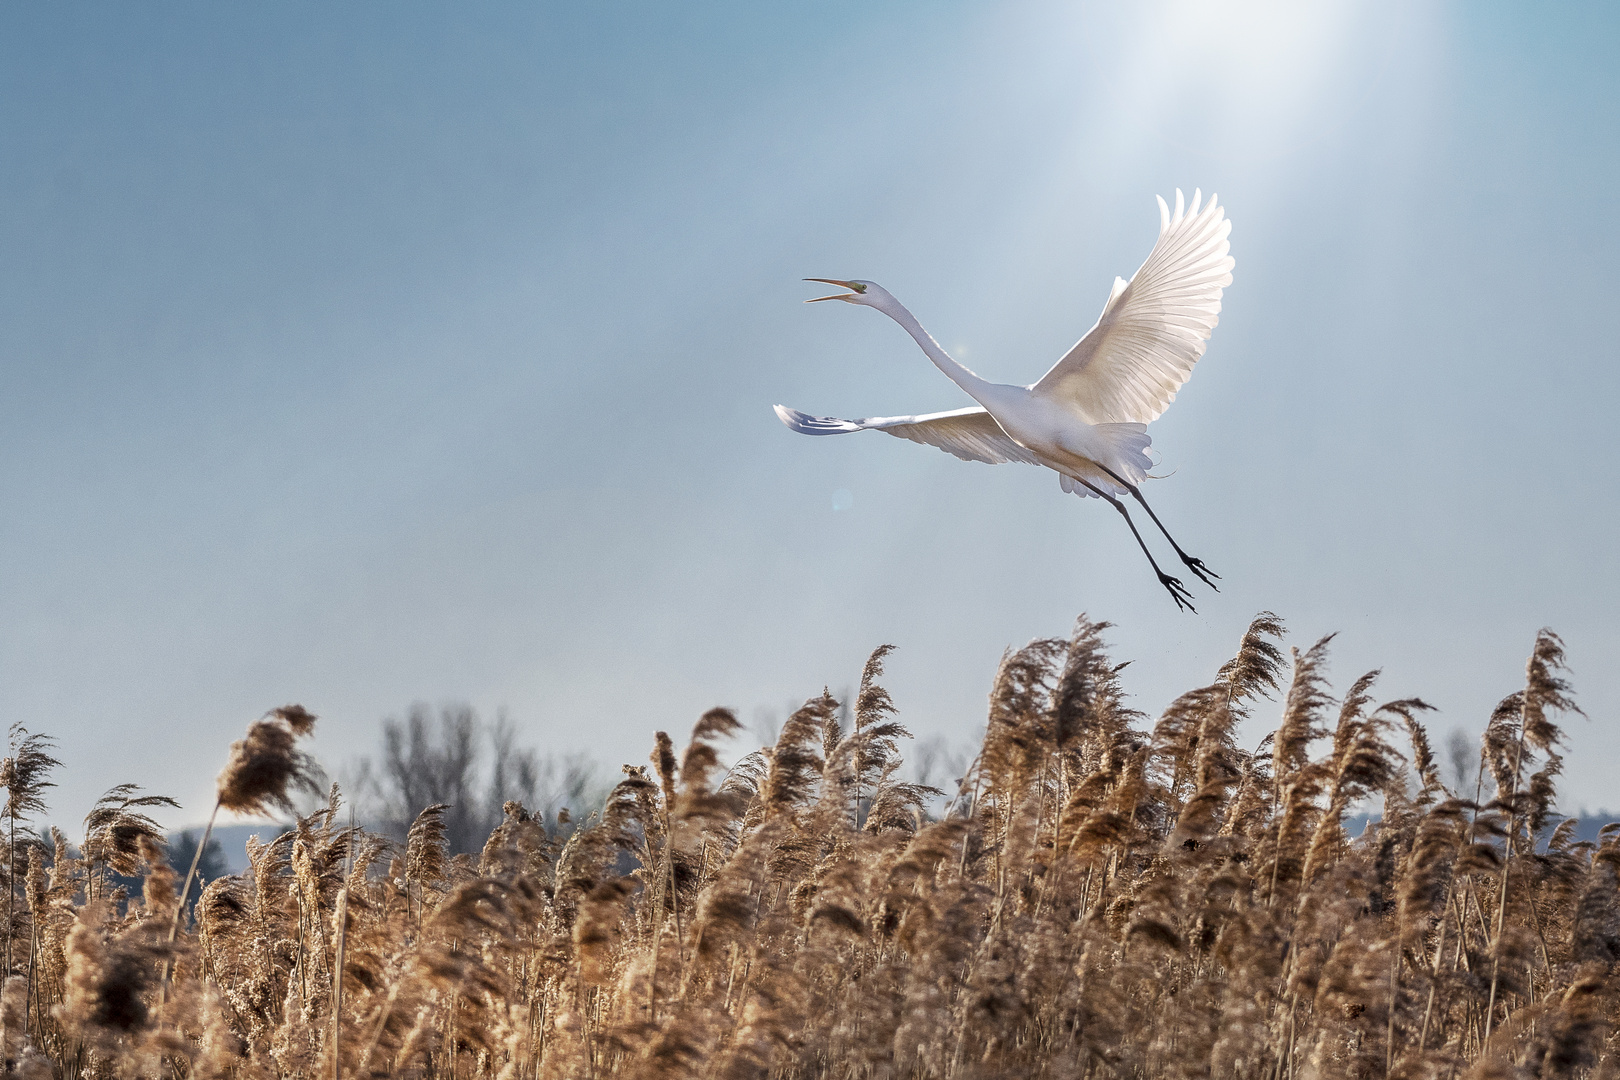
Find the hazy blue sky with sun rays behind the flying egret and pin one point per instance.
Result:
(373, 354)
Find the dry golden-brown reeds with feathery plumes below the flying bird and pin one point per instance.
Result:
(1104, 898)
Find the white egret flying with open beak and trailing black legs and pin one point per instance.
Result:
(1088, 417)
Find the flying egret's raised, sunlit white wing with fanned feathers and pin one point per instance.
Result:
(1153, 331)
